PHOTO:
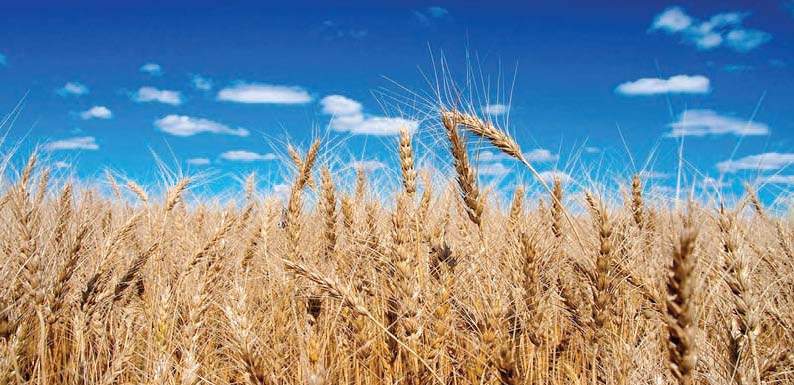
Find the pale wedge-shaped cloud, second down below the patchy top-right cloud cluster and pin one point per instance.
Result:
(708, 122)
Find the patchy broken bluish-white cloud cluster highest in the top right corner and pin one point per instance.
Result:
(723, 29)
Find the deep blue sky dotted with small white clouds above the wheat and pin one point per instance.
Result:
(219, 88)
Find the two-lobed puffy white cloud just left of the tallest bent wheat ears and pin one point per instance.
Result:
(347, 116)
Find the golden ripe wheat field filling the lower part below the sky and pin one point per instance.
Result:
(435, 283)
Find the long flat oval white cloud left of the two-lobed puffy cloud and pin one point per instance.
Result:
(264, 94)
